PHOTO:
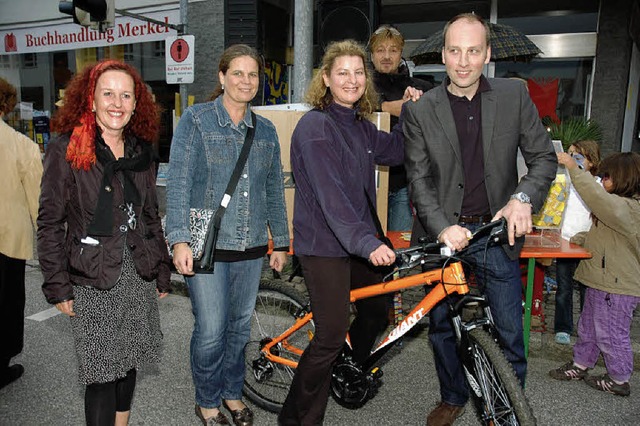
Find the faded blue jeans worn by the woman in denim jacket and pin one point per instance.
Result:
(222, 305)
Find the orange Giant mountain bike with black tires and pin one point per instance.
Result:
(282, 327)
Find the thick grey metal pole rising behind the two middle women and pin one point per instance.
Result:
(302, 47)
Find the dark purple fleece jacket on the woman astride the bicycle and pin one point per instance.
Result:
(331, 169)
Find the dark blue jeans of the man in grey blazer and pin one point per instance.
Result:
(499, 279)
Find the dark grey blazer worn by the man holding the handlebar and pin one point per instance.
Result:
(434, 163)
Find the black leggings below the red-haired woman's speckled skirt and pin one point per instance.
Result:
(102, 400)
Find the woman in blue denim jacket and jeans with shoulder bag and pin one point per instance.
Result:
(204, 151)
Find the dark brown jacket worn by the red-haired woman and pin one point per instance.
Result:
(67, 203)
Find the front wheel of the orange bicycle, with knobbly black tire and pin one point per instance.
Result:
(494, 387)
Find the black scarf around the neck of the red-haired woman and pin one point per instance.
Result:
(102, 223)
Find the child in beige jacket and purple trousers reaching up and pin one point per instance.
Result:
(611, 274)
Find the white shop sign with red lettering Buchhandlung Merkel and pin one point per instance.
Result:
(72, 36)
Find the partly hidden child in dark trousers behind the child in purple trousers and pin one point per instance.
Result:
(577, 218)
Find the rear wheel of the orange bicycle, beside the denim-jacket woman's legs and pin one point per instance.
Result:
(267, 384)
